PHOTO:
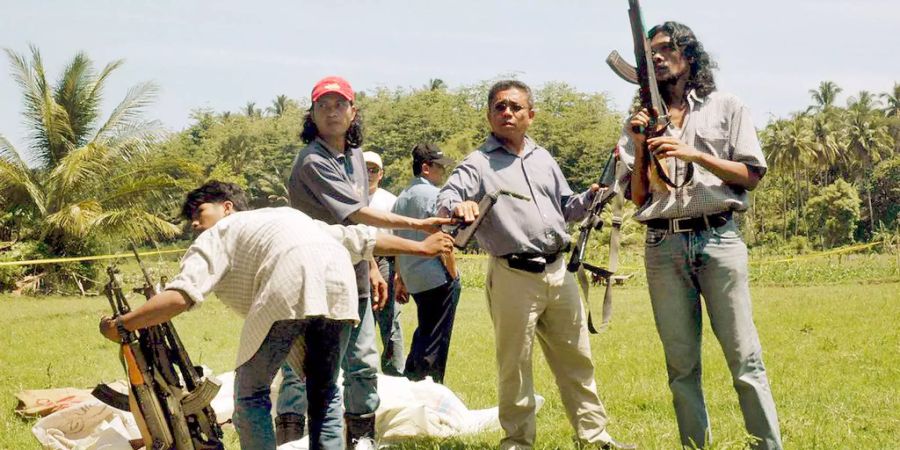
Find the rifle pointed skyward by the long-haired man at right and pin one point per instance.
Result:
(644, 76)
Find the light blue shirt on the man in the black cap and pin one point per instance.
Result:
(419, 274)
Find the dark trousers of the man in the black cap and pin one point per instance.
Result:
(435, 309)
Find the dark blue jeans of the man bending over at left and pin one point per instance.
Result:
(323, 342)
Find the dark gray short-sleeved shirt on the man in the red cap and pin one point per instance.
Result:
(330, 188)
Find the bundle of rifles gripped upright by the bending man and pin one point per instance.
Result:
(167, 394)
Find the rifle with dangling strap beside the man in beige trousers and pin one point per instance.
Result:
(611, 191)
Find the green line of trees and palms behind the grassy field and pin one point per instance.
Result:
(95, 181)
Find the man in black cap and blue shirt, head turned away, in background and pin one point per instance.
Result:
(434, 289)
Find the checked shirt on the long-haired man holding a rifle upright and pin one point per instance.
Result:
(720, 125)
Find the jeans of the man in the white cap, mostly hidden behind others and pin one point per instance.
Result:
(388, 320)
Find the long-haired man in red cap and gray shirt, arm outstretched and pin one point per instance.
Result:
(328, 182)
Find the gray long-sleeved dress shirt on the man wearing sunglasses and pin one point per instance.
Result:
(514, 225)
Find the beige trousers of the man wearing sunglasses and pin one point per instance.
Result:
(524, 305)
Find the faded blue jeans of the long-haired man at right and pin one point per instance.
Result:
(713, 263)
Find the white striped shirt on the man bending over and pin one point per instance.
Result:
(275, 264)
